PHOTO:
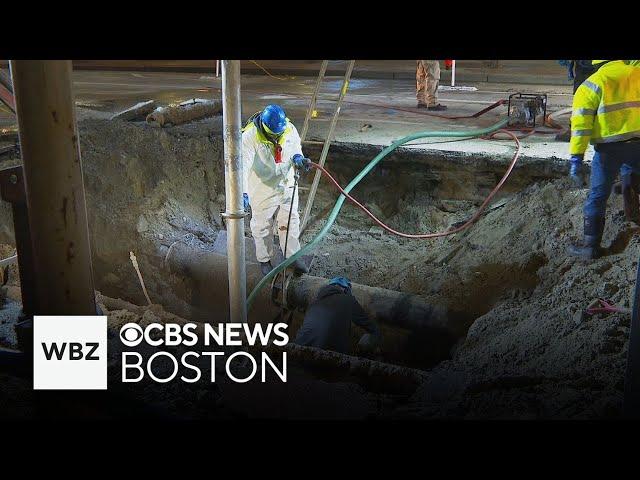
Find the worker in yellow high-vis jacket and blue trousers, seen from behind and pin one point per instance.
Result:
(606, 113)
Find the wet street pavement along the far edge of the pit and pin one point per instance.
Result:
(375, 111)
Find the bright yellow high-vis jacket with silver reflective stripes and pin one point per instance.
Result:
(606, 107)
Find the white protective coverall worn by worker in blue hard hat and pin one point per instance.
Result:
(269, 185)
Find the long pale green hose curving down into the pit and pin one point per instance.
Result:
(336, 209)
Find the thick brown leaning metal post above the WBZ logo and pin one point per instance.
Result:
(54, 187)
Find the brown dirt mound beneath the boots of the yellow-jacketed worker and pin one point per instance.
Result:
(534, 352)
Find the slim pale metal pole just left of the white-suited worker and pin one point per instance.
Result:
(233, 180)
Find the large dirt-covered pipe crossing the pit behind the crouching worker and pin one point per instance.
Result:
(206, 271)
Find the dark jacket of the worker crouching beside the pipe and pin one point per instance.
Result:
(327, 323)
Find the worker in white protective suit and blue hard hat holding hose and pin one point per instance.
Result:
(271, 152)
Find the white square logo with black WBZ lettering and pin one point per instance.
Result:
(70, 352)
